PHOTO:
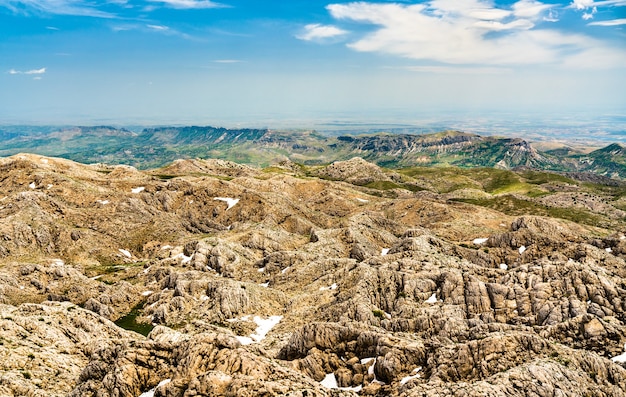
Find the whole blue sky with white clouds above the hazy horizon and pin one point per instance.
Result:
(237, 61)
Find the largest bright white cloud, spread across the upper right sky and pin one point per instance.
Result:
(472, 32)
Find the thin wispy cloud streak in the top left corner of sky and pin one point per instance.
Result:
(56, 7)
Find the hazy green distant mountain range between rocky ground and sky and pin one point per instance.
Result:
(155, 147)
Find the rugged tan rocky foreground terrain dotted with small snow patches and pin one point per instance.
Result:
(343, 280)
